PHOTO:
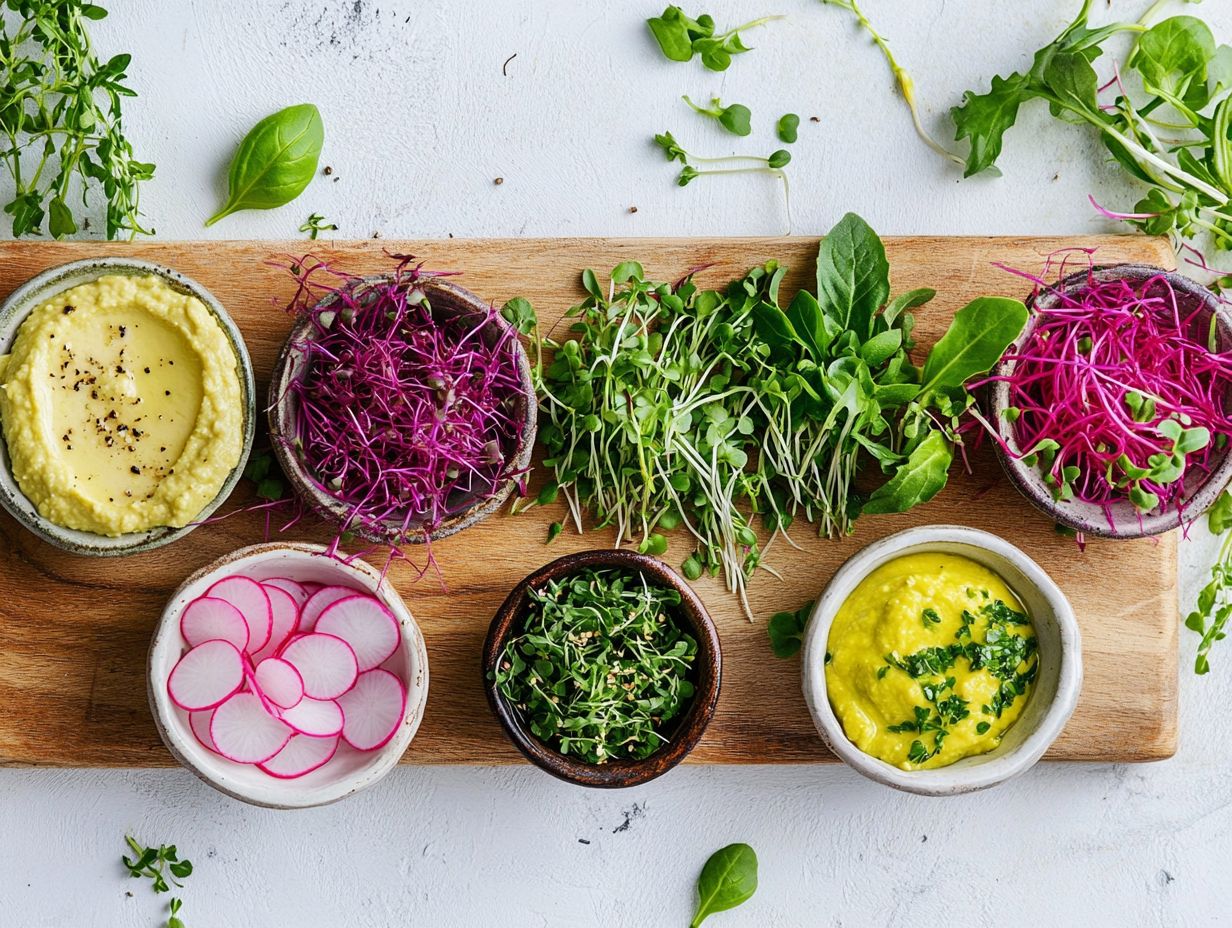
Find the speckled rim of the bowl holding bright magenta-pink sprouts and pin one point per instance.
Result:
(1085, 517)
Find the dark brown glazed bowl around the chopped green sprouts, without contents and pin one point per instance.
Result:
(689, 728)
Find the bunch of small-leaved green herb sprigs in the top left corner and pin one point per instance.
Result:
(61, 121)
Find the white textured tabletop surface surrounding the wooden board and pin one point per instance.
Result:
(419, 121)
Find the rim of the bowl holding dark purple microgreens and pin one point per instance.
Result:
(279, 413)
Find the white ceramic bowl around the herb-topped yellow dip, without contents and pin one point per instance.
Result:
(1049, 707)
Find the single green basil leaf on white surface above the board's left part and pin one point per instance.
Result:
(275, 162)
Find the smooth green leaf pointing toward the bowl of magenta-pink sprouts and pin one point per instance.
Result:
(975, 342)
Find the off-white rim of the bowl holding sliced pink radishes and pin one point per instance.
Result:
(282, 794)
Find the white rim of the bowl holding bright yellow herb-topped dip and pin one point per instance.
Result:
(952, 779)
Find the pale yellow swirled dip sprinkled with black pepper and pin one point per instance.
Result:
(123, 407)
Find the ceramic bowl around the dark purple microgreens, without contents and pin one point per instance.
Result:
(449, 301)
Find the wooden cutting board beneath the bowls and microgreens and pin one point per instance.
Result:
(75, 630)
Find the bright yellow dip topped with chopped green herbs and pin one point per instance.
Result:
(931, 660)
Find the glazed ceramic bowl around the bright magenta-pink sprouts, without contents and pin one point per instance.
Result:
(1088, 518)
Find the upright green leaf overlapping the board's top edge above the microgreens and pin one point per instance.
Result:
(853, 275)
